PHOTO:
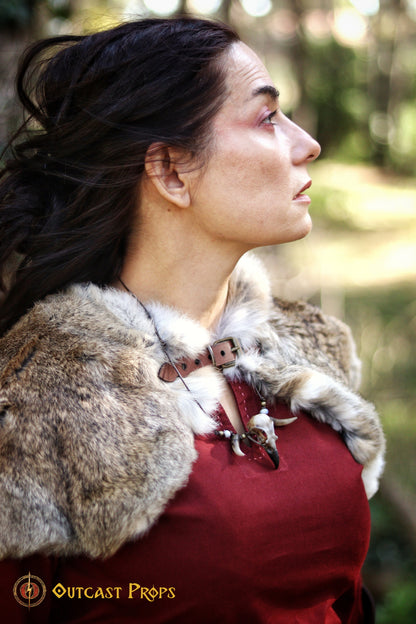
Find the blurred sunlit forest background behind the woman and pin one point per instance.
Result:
(346, 70)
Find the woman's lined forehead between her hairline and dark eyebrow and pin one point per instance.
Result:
(245, 72)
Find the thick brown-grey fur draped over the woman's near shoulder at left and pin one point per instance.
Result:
(86, 439)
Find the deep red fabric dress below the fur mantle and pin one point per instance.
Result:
(241, 542)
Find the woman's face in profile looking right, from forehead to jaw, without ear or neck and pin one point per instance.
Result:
(249, 192)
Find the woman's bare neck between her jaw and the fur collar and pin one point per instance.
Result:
(175, 261)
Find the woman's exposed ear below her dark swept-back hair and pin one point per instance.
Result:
(166, 168)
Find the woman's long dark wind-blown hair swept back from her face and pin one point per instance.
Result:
(95, 104)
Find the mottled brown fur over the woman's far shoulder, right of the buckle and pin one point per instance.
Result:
(323, 340)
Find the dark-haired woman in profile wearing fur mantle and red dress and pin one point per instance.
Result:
(144, 375)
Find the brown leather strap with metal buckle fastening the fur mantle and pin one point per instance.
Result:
(221, 354)
